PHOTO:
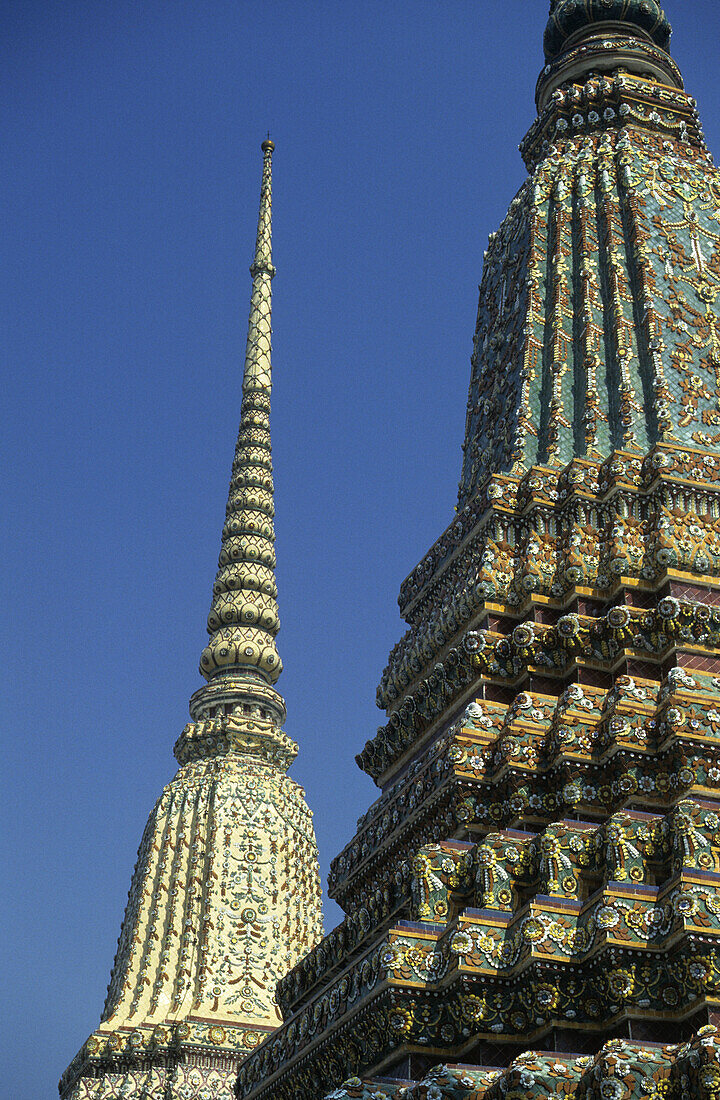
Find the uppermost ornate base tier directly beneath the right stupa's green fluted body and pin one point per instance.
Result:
(538, 545)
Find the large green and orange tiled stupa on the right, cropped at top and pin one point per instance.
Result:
(534, 901)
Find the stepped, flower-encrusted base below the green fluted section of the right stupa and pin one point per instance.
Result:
(544, 867)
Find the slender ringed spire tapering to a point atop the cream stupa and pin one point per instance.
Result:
(243, 620)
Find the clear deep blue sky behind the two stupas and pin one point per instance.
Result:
(129, 197)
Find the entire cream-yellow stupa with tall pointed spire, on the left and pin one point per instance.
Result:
(226, 895)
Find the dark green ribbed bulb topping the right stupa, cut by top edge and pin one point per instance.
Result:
(569, 17)
